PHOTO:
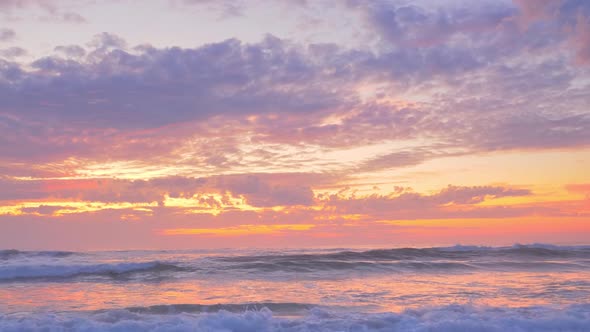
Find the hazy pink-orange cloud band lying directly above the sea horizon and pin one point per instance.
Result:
(108, 229)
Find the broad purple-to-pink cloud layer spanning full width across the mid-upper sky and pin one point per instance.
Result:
(257, 89)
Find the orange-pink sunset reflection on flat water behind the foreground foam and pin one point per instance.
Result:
(370, 292)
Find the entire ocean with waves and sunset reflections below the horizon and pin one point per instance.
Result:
(461, 288)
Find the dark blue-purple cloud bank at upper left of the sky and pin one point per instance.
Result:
(170, 85)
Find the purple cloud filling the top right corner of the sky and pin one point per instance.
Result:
(491, 30)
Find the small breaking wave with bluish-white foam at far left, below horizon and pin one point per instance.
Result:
(9, 273)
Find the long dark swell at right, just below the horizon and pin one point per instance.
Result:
(444, 259)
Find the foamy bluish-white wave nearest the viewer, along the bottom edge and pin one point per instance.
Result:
(447, 318)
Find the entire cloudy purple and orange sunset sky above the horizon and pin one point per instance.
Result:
(176, 124)
